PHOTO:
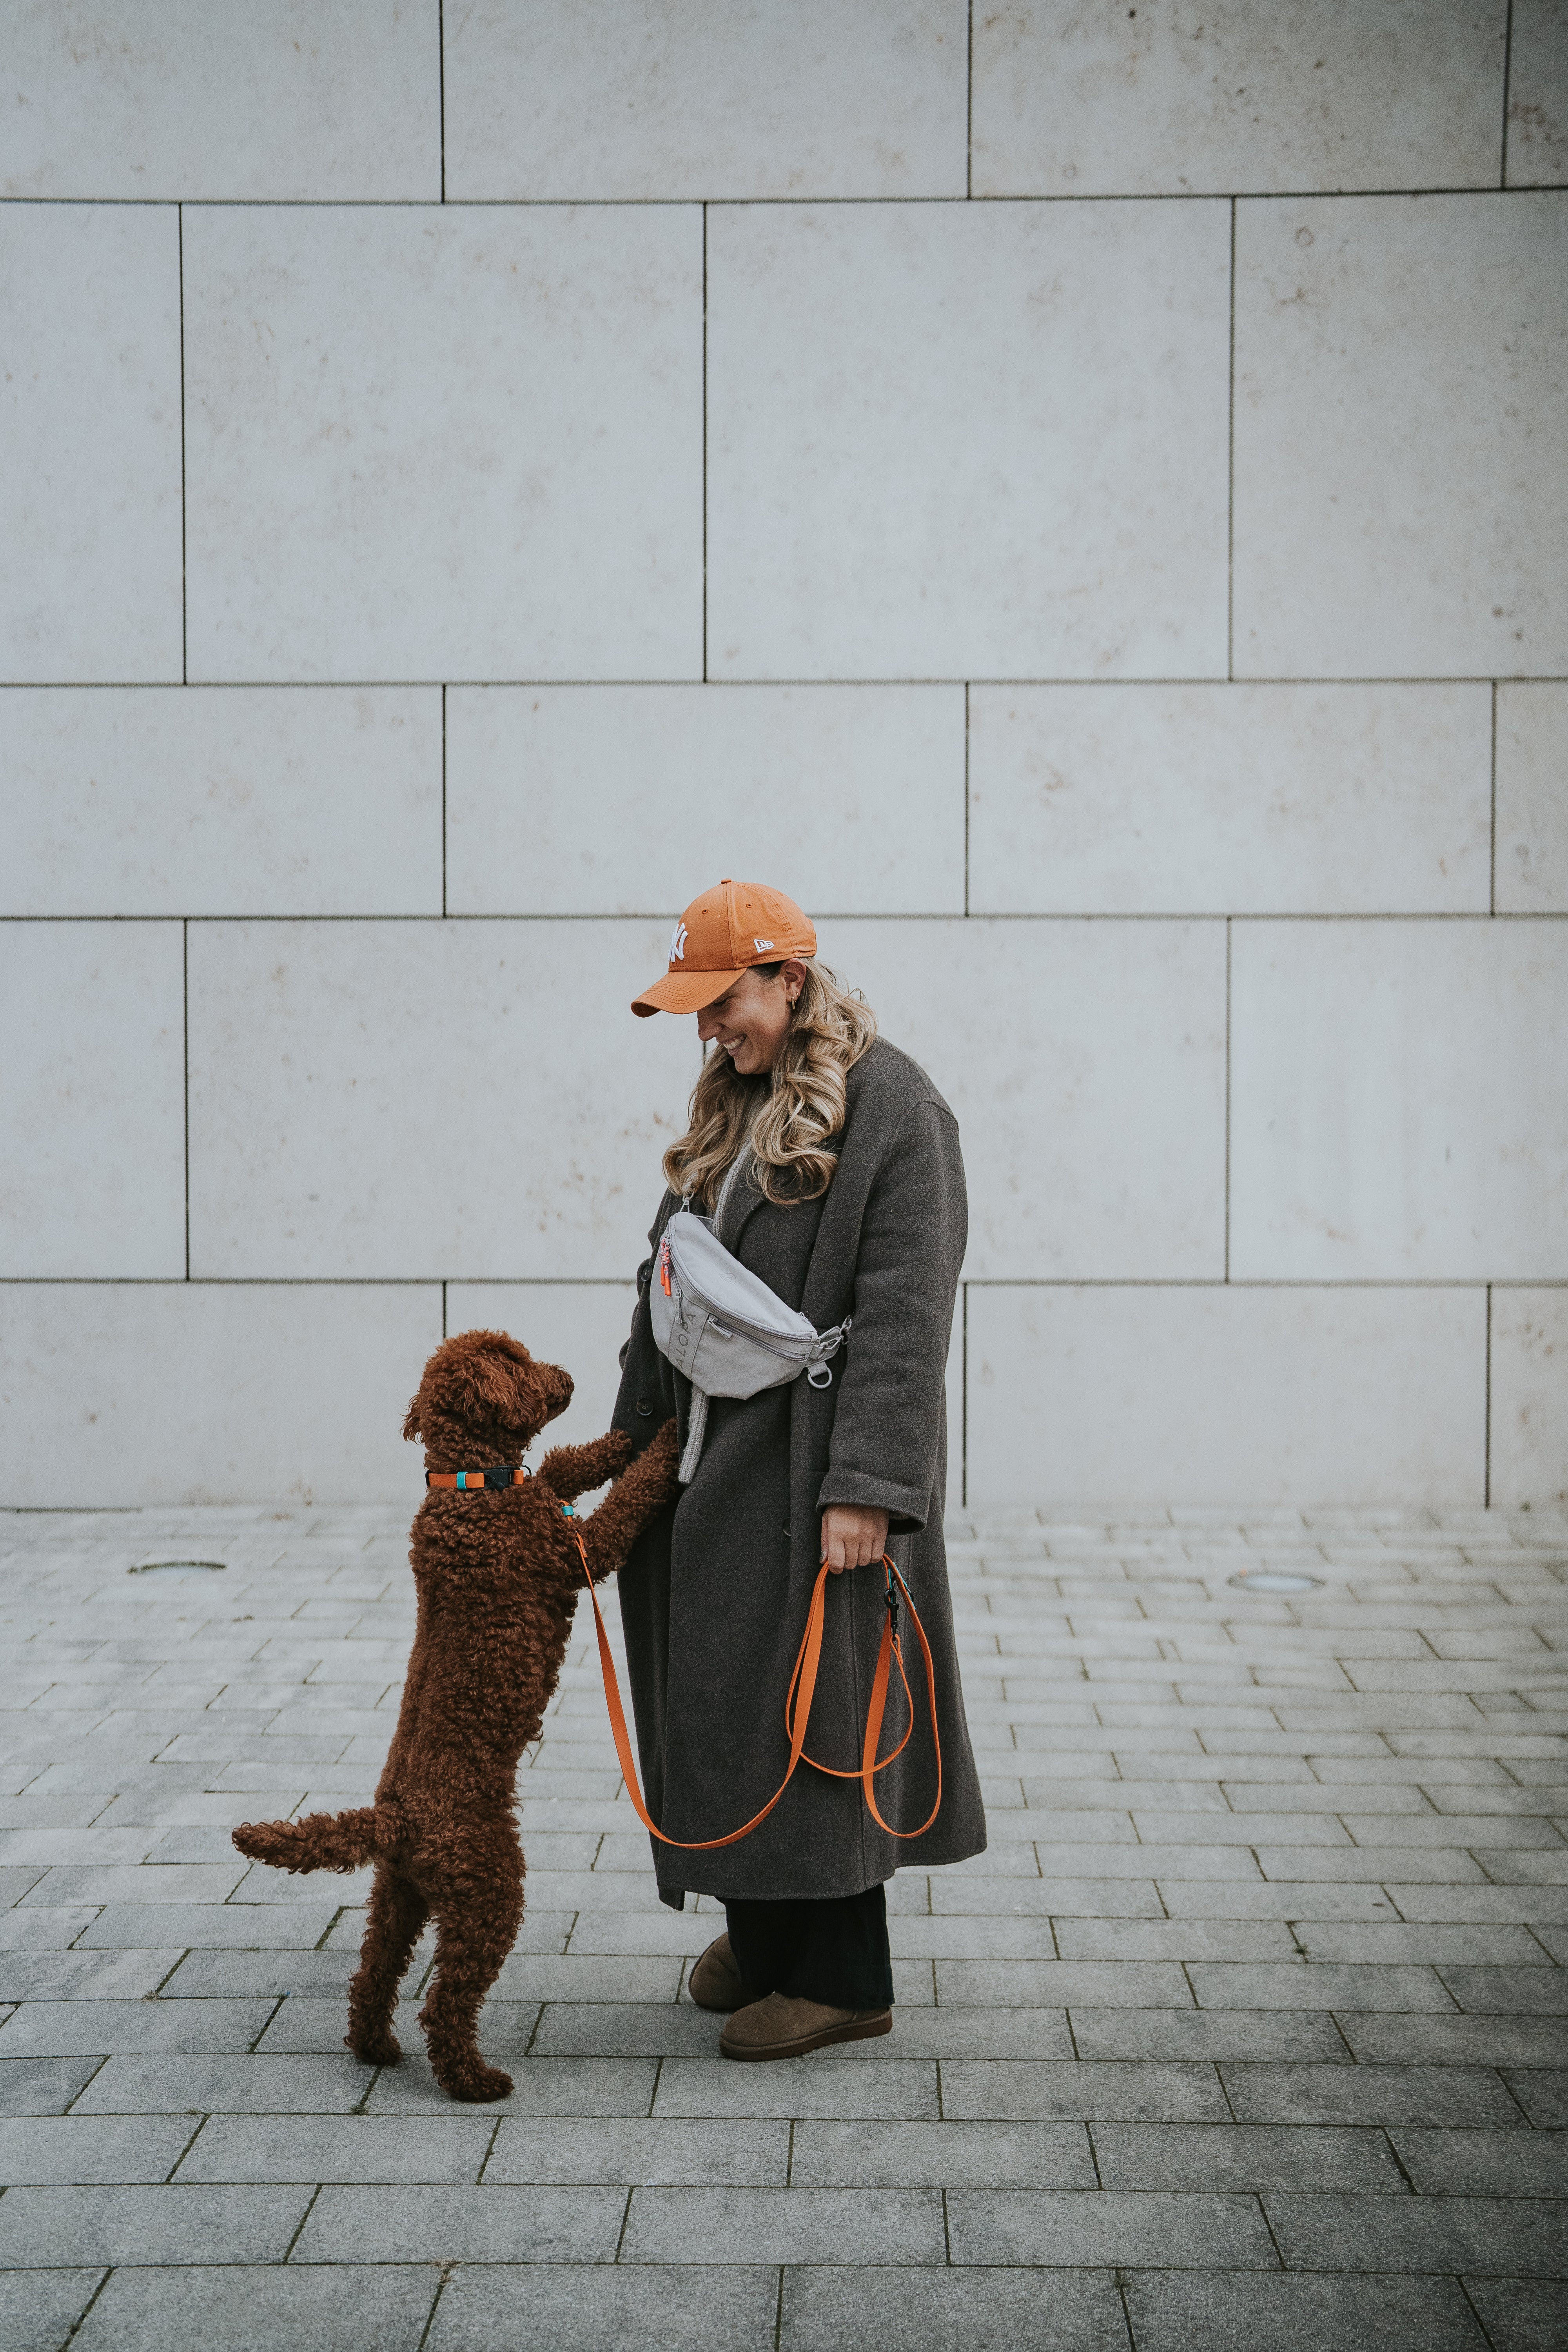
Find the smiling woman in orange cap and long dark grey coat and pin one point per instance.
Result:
(831, 1168)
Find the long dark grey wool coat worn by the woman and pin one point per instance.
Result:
(716, 1593)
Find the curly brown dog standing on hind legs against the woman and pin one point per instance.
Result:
(497, 1577)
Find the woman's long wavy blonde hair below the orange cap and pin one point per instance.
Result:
(791, 1114)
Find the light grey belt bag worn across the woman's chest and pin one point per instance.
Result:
(723, 1325)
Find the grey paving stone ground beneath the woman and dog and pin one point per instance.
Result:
(1247, 2029)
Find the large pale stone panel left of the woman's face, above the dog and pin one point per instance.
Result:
(429, 1100)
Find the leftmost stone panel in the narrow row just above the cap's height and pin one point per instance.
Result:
(222, 801)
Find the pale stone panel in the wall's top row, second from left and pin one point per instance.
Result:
(657, 100)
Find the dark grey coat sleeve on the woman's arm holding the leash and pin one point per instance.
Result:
(890, 1412)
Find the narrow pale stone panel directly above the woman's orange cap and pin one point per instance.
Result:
(601, 801)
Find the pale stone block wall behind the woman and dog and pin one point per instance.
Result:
(1078, 495)
